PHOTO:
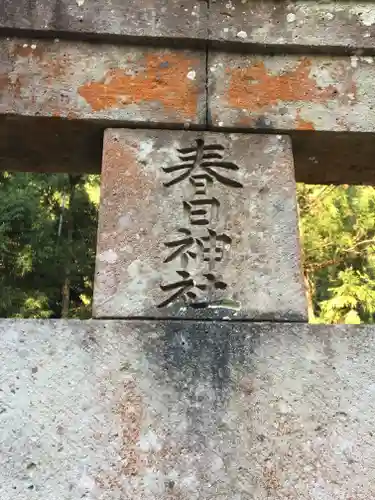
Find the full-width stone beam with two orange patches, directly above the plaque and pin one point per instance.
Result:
(134, 85)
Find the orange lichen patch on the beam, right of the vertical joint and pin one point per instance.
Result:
(254, 88)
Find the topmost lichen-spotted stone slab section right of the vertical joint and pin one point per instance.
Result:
(346, 25)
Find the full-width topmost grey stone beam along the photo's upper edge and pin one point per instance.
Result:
(340, 24)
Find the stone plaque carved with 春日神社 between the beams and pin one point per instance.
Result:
(197, 225)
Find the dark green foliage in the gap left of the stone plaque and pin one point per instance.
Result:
(46, 240)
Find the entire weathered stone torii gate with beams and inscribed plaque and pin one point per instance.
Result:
(199, 378)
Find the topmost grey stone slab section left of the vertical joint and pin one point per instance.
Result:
(133, 18)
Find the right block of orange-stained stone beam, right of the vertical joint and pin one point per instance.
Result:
(292, 92)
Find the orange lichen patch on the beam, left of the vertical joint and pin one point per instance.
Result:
(163, 79)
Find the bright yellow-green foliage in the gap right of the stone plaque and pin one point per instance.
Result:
(337, 226)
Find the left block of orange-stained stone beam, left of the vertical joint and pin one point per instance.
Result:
(106, 82)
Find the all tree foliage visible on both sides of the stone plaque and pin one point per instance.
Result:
(48, 241)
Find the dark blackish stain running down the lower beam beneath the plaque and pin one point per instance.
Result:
(198, 359)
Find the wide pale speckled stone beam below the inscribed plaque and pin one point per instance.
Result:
(186, 411)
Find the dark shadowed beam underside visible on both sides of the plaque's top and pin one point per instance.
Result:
(52, 145)
